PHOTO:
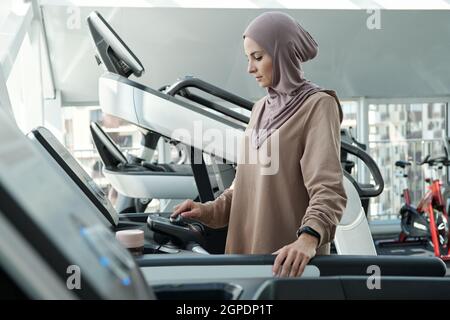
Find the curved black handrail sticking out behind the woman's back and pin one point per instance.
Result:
(362, 189)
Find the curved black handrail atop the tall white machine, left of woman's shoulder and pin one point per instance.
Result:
(192, 82)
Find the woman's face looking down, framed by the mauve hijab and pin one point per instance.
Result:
(259, 62)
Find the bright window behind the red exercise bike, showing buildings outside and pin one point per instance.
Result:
(403, 132)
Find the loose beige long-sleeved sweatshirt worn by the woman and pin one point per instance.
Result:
(264, 211)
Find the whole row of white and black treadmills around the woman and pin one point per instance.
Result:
(54, 218)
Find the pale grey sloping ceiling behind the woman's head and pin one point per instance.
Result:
(409, 56)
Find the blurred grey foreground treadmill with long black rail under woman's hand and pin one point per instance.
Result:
(55, 233)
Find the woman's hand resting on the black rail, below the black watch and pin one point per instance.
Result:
(292, 259)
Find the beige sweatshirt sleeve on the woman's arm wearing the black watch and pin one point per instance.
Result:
(321, 168)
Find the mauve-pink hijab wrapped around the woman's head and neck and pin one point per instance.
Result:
(289, 45)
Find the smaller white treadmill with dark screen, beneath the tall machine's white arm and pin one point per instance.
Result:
(143, 179)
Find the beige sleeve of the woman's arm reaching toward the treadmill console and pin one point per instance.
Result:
(217, 212)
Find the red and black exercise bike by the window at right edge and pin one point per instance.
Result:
(429, 221)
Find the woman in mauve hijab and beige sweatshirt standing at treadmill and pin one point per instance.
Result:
(292, 213)
